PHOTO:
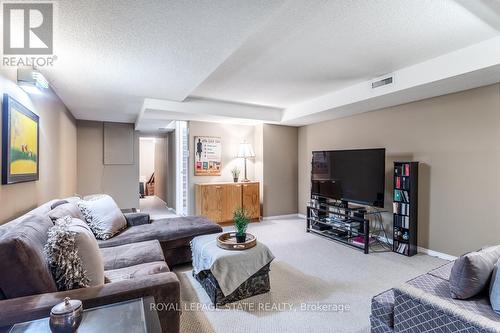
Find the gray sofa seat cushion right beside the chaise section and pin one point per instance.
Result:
(131, 254)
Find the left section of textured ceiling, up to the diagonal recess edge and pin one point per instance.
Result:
(112, 54)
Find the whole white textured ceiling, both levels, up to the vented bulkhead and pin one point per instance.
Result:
(254, 60)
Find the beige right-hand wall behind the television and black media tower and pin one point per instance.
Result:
(455, 137)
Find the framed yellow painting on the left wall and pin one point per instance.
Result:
(20, 142)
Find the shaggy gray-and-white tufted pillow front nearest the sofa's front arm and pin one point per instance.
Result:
(62, 256)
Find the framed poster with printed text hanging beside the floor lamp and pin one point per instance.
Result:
(207, 160)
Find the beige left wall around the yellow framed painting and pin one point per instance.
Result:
(57, 152)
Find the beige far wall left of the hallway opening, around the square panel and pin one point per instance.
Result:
(119, 181)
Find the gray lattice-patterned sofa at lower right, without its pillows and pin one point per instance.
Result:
(424, 304)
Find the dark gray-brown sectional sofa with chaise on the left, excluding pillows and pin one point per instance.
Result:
(136, 264)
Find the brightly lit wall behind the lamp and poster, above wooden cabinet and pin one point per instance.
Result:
(231, 136)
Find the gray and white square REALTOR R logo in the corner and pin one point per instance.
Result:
(28, 28)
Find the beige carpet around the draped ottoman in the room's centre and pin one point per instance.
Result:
(308, 271)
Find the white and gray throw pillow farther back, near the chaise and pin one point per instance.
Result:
(103, 216)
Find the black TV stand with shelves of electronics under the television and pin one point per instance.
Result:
(338, 221)
